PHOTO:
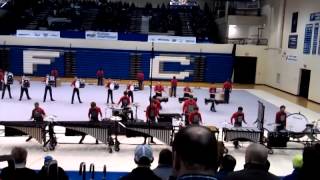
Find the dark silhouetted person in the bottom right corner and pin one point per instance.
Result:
(311, 155)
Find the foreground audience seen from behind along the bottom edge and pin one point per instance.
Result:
(195, 155)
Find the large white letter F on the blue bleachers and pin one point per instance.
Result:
(32, 58)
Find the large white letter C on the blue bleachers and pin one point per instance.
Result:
(159, 74)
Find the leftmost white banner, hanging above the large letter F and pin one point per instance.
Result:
(38, 34)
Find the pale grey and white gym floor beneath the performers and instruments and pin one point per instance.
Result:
(69, 156)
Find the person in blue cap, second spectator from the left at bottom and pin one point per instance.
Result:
(51, 171)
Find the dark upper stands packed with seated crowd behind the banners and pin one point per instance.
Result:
(104, 15)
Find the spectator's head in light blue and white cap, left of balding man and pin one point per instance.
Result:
(143, 155)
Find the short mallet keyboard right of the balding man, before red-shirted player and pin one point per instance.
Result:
(241, 134)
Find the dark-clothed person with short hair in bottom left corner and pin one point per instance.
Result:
(19, 155)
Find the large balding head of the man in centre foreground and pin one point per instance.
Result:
(195, 153)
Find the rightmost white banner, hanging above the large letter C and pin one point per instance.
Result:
(172, 39)
